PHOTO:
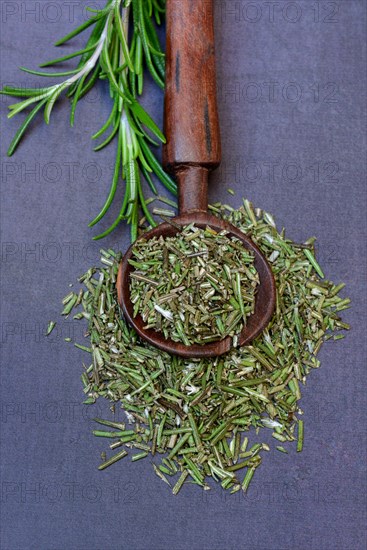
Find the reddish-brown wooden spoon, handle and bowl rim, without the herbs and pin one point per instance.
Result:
(193, 149)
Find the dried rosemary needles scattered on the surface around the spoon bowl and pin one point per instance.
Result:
(194, 416)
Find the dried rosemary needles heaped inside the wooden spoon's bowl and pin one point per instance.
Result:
(196, 287)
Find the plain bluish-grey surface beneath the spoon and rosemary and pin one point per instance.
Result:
(292, 88)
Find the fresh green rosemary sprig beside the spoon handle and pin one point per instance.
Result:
(110, 54)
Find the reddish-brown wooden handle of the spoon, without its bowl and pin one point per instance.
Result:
(191, 119)
